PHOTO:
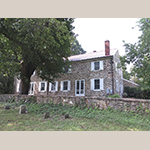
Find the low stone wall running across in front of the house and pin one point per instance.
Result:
(102, 103)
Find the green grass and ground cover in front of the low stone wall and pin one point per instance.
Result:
(86, 119)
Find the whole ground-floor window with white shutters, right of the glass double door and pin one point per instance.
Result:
(97, 84)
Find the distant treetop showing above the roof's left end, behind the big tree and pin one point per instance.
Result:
(76, 47)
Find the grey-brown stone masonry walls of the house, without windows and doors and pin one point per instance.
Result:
(82, 70)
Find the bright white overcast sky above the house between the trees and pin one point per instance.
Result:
(92, 32)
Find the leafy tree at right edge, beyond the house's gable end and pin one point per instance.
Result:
(139, 54)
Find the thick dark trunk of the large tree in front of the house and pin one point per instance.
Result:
(26, 72)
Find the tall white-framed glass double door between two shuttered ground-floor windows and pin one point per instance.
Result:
(79, 87)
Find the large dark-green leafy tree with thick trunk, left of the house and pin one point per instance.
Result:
(43, 44)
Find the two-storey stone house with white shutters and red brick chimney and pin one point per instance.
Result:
(90, 74)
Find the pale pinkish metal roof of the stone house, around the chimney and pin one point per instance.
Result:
(91, 55)
